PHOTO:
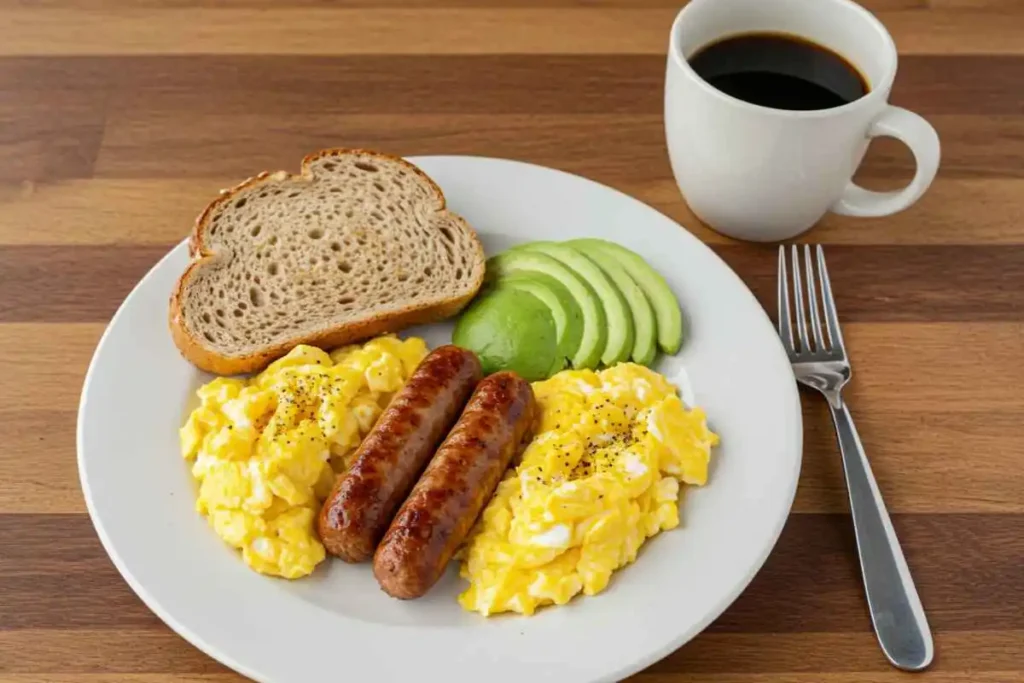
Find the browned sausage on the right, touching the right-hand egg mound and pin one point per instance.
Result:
(457, 485)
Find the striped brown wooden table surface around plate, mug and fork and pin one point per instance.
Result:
(121, 119)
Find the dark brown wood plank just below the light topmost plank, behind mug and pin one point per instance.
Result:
(491, 83)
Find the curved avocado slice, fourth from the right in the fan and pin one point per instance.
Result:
(593, 335)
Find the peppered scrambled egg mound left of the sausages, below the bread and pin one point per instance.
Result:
(266, 451)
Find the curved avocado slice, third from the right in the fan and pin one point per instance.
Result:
(620, 340)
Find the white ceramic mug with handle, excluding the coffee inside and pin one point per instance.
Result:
(767, 175)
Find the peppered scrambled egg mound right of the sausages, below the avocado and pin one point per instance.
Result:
(601, 478)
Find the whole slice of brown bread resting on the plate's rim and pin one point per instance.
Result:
(357, 245)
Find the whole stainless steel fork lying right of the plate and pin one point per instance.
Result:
(897, 611)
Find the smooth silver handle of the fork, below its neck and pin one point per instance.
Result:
(897, 611)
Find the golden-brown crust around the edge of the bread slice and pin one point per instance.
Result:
(204, 358)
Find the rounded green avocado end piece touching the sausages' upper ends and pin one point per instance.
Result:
(511, 329)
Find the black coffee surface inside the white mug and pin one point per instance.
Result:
(780, 71)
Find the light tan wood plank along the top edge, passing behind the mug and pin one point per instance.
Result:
(433, 31)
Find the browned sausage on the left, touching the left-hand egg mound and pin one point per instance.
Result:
(394, 454)
